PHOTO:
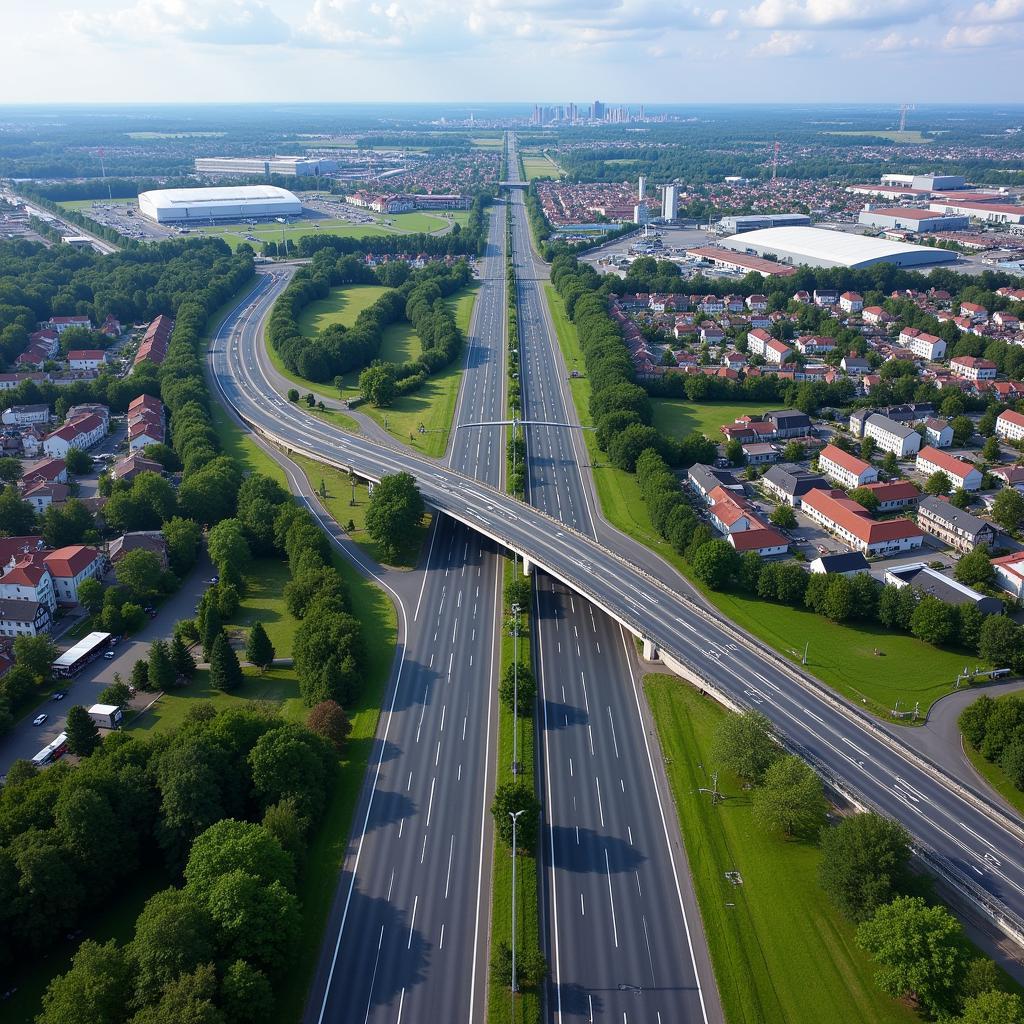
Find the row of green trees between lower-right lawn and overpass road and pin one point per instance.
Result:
(919, 948)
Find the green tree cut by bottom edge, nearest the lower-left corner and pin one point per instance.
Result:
(95, 989)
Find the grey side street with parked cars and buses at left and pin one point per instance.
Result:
(25, 740)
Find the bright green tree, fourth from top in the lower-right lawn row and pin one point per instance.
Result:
(920, 951)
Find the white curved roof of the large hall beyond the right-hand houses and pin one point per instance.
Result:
(821, 247)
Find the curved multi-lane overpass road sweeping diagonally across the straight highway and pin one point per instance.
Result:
(974, 842)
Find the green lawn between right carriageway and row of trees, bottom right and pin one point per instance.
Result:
(782, 954)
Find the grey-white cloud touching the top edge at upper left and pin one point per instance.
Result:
(239, 23)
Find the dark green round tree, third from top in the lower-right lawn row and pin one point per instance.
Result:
(864, 864)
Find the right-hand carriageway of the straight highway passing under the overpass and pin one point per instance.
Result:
(619, 930)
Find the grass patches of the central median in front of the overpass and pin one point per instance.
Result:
(526, 1007)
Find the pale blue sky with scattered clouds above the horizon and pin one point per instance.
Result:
(513, 51)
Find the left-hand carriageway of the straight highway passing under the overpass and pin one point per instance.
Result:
(409, 931)
